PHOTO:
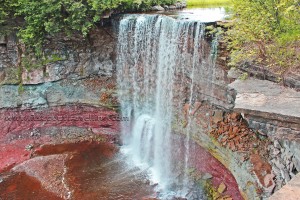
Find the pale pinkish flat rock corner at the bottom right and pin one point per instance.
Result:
(291, 191)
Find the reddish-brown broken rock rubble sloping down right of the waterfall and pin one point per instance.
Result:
(232, 132)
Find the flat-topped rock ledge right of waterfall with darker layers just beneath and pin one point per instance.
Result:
(271, 109)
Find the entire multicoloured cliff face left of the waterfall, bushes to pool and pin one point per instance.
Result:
(75, 95)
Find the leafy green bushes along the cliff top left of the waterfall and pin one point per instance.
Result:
(49, 17)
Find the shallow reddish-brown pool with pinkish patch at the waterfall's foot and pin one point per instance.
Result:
(82, 170)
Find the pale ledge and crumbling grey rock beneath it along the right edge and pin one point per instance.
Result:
(274, 112)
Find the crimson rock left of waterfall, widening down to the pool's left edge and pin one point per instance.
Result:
(16, 135)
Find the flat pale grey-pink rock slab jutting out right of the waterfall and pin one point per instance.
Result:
(267, 99)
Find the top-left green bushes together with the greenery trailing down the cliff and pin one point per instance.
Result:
(35, 20)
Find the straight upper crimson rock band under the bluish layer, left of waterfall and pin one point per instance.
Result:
(80, 116)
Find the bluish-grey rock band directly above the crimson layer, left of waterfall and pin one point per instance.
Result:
(94, 91)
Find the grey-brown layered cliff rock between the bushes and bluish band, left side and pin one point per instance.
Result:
(74, 58)
